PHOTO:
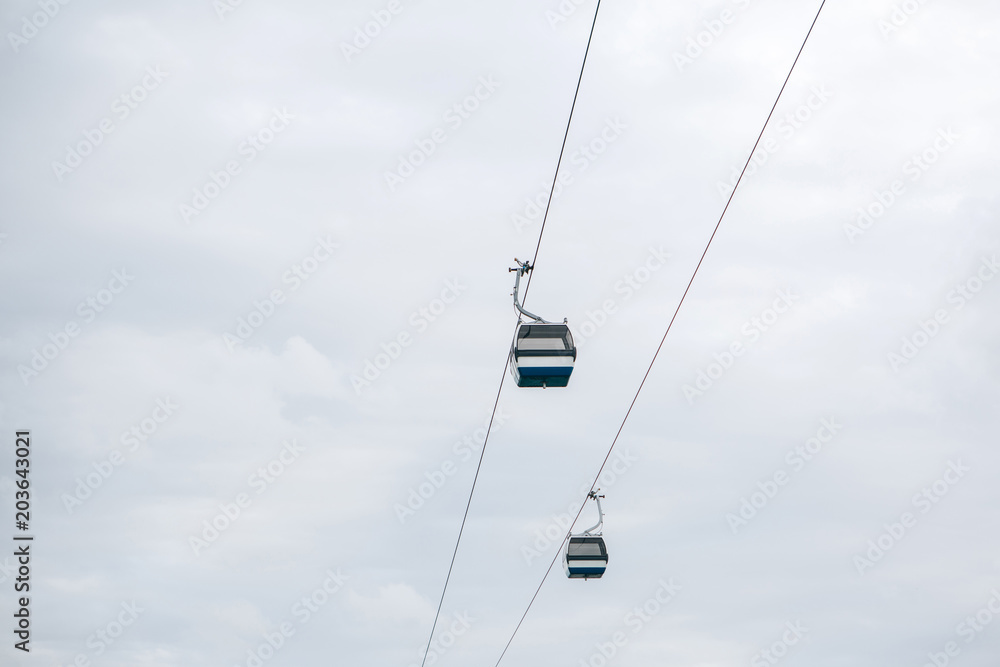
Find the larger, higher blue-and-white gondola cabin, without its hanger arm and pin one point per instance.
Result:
(542, 355)
